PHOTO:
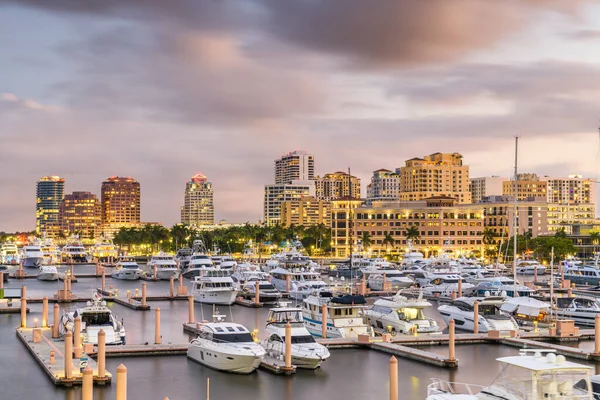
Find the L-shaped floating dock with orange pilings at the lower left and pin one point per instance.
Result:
(41, 351)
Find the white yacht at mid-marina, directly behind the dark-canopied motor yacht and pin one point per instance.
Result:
(303, 281)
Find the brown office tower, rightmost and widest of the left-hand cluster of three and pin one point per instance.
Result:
(120, 199)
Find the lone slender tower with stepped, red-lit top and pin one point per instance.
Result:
(198, 208)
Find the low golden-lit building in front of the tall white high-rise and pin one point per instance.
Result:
(305, 211)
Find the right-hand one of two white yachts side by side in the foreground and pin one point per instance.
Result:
(306, 352)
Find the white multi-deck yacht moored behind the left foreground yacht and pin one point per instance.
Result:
(214, 286)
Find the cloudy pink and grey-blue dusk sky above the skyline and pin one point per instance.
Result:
(161, 90)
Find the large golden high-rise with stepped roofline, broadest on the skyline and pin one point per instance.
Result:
(439, 174)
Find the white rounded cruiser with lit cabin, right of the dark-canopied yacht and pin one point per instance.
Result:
(399, 314)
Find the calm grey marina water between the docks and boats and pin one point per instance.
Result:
(348, 374)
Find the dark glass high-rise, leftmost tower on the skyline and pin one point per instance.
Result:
(50, 191)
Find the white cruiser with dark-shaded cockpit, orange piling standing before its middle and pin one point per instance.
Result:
(491, 317)
